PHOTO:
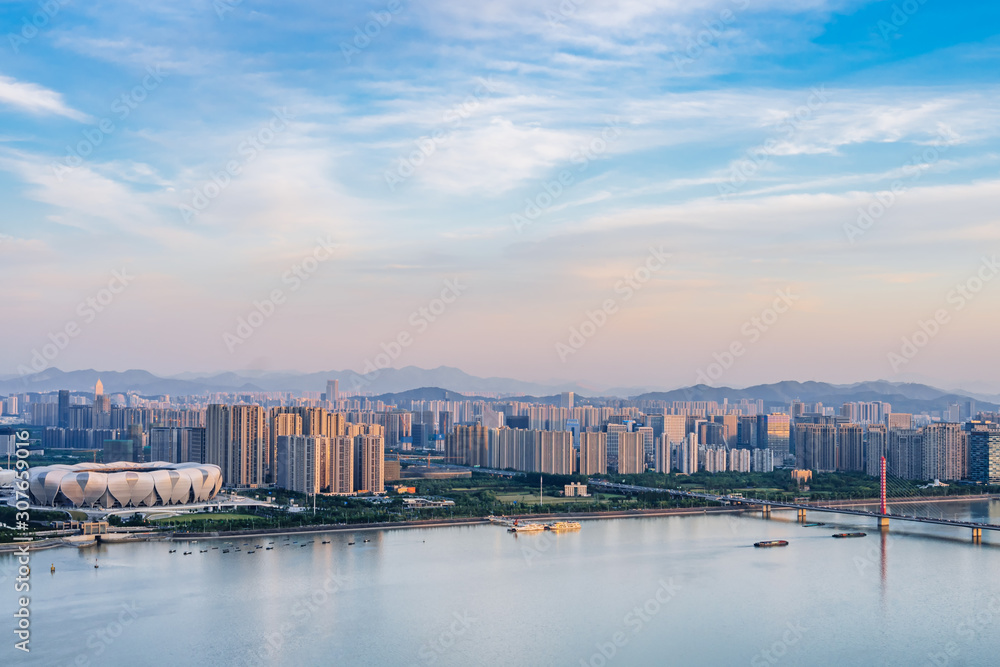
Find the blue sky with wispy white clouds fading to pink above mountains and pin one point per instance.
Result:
(628, 193)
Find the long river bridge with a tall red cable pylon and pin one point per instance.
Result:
(882, 516)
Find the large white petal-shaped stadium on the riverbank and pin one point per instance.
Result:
(123, 484)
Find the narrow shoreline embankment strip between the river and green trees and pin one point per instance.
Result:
(52, 543)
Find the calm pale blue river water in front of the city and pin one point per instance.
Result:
(674, 590)
